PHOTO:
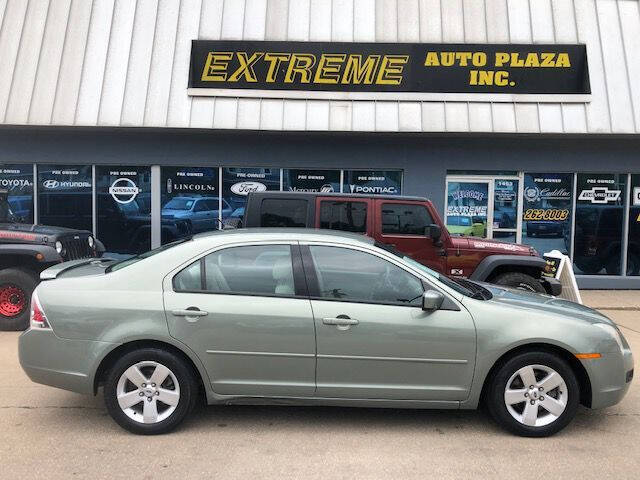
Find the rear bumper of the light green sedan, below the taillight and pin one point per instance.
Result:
(61, 363)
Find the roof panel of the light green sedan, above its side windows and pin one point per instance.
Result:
(308, 234)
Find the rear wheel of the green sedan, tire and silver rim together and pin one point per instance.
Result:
(150, 391)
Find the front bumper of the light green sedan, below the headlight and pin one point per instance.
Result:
(610, 377)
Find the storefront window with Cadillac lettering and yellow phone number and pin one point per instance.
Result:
(546, 212)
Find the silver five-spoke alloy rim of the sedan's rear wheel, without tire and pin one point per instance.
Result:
(148, 392)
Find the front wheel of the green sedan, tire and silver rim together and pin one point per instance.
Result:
(534, 394)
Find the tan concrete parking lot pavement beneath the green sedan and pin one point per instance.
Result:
(50, 433)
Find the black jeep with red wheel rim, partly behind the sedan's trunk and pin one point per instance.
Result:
(27, 249)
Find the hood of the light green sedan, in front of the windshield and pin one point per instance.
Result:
(539, 303)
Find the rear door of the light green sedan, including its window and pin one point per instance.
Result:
(244, 311)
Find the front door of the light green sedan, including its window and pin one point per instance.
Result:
(374, 341)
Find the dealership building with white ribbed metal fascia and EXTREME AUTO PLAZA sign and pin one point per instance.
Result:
(147, 120)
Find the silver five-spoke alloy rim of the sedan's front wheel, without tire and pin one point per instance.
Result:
(536, 395)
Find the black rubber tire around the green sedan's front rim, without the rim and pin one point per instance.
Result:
(495, 393)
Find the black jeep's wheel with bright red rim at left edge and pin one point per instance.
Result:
(16, 287)
